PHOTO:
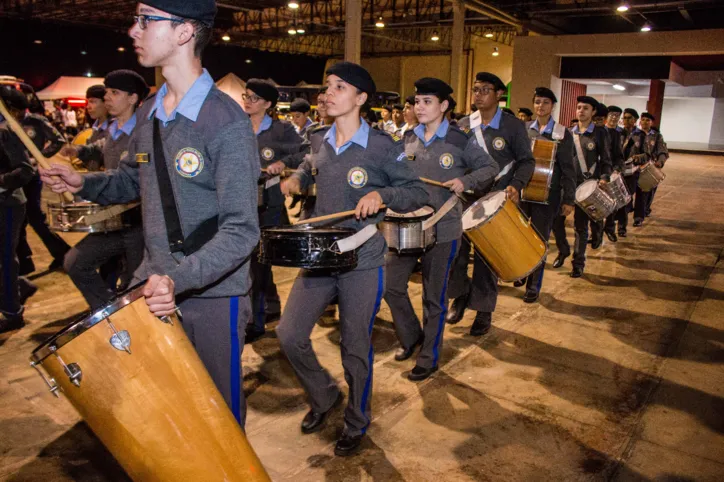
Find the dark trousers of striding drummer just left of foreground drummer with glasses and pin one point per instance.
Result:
(85, 258)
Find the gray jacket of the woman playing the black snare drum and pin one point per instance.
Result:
(343, 179)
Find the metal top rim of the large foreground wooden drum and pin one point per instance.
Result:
(77, 328)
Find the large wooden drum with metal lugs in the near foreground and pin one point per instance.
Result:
(139, 384)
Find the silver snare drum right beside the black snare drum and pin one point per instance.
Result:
(404, 233)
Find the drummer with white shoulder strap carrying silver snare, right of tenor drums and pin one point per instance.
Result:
(593, 161)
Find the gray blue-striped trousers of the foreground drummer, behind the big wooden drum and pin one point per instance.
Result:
(215, 327)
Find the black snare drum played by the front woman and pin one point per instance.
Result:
(307, 248)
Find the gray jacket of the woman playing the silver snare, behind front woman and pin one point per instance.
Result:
(457, 155)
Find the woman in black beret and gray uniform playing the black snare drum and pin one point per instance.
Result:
(355, 168)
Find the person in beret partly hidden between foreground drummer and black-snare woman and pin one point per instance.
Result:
(278, 142)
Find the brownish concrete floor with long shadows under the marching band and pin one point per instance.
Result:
(616, 376)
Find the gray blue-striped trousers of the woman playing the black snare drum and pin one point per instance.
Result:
(360, 294)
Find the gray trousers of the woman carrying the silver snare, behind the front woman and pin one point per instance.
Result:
(436, 264)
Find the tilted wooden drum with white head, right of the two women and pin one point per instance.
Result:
(503, 235)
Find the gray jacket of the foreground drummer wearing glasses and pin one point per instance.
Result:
(223, 183)
